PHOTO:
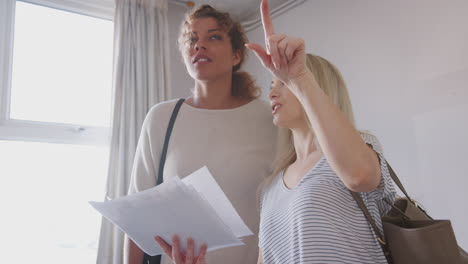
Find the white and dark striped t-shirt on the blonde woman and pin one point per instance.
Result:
(318, 221)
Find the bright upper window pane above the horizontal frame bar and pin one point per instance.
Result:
(62, 67)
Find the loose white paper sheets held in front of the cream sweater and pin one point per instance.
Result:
(193, 207)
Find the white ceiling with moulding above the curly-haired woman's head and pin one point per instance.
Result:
(246, 11)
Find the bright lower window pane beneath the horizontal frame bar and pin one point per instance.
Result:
(46, 211)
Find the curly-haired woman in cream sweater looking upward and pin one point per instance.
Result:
(221, 125)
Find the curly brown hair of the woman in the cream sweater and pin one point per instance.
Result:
(243, 85)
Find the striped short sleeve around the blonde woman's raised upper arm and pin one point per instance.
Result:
(386, 188)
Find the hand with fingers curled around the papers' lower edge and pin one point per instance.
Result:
(174, 251)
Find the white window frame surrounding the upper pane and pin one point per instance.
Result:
(47, 132)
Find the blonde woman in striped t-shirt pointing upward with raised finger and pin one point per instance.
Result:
(307, 212)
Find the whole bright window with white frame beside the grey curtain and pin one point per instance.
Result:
(55, 95)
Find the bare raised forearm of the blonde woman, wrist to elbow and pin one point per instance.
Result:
(354, 162)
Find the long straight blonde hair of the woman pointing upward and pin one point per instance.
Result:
(331, 82)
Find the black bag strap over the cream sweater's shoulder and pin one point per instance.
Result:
(147, 259)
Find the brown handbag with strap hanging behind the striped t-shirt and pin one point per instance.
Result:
(411, 235)
